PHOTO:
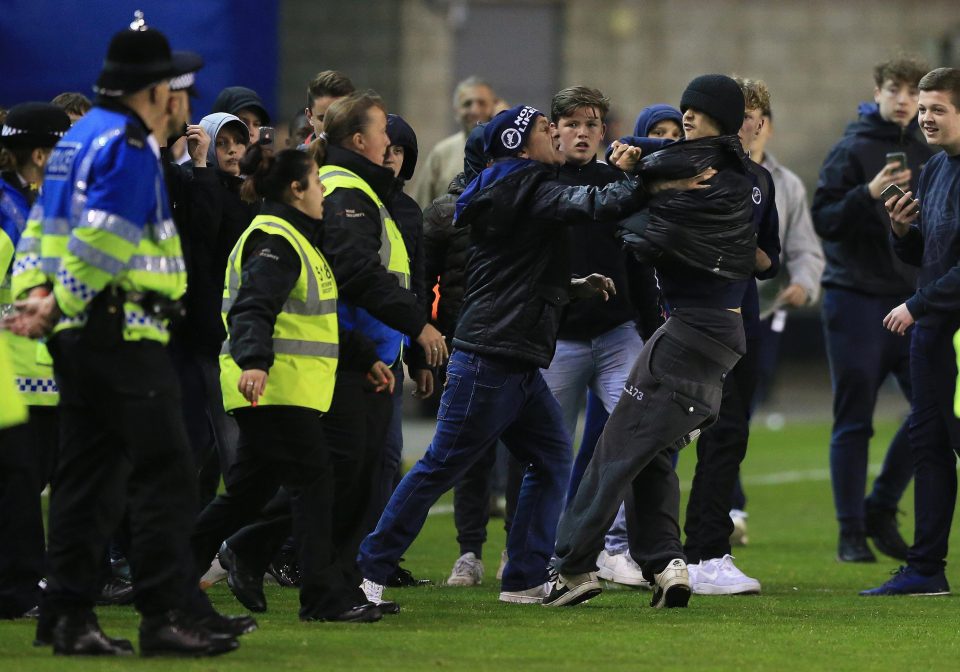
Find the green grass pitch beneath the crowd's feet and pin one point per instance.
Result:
(809, 616)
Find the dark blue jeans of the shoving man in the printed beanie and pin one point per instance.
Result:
(485, 398)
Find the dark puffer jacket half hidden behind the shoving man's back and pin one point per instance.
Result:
(445, 255)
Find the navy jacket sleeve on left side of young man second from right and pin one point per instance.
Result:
(842, 201)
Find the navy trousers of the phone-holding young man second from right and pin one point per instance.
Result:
(862, 354)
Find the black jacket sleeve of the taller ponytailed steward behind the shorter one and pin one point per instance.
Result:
(351, 243)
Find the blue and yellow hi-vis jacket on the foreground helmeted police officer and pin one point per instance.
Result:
(103, 219)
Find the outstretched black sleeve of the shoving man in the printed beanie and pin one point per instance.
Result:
(568, 204)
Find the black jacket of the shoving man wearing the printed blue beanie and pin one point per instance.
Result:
(519, 267)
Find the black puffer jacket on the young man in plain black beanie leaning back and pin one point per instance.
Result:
(710, 229)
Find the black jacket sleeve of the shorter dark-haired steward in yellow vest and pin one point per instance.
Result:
(269, 273)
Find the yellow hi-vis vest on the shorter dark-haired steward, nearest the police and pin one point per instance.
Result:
(305, 336)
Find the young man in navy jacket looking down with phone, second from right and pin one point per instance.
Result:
(862, 282)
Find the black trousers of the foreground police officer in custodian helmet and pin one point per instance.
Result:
(122, 444)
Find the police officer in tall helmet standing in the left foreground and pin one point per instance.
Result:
(109, 269)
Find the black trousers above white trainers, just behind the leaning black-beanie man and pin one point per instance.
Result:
(720, 450)
